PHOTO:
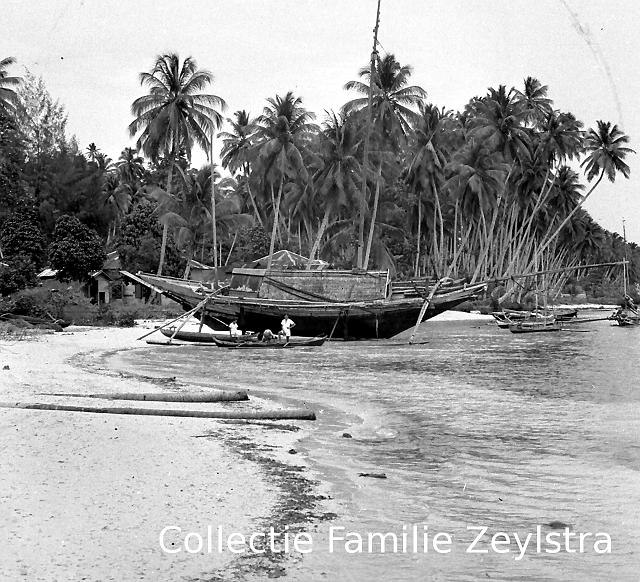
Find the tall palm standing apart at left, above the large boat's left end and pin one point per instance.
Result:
(174, 114)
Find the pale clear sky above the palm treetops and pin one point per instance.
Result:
(90, 54)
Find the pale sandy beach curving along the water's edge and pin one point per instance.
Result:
(85, 496)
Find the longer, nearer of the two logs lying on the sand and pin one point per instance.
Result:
(232, 415)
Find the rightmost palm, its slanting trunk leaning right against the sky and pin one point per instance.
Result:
(606, 147)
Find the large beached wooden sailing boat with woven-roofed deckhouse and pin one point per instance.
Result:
(338, 304)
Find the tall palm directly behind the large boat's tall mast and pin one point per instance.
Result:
(391, 116)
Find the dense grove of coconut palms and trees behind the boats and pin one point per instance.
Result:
(488, 193)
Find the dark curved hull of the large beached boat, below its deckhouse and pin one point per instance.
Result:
(347, 320)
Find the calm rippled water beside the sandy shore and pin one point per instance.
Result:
(479, 427)
